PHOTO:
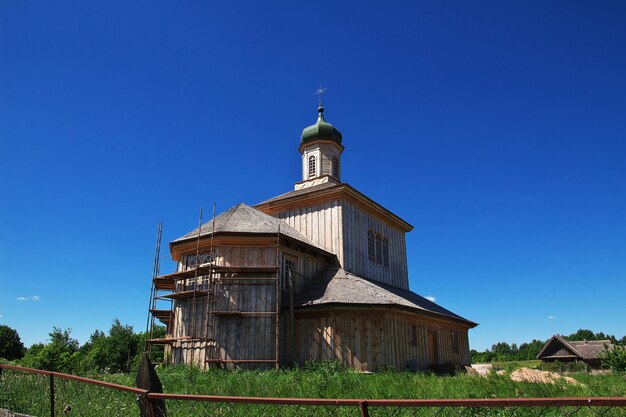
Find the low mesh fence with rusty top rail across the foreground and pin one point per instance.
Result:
(43, 393)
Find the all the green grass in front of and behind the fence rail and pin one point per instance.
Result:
(28, 393)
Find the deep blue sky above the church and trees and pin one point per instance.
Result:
(496, 128)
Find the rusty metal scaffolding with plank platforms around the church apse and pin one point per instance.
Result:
(226, 303)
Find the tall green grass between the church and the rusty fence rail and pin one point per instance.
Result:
(330, 381)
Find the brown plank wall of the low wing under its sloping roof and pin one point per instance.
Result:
(375, 341)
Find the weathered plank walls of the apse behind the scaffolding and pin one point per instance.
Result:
(237, 337)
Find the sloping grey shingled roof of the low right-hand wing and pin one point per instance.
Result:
(337, 286)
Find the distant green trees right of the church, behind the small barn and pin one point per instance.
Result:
(504, 352)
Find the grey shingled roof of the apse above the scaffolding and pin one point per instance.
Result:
(245, 219)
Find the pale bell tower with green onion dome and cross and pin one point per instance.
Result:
(320, 146)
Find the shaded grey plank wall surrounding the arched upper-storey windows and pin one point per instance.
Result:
(356, 223)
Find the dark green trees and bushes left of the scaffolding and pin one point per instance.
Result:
(119, 350)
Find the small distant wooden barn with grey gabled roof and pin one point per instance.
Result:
(586, 351)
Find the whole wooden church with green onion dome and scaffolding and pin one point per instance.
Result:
(318, 273)
